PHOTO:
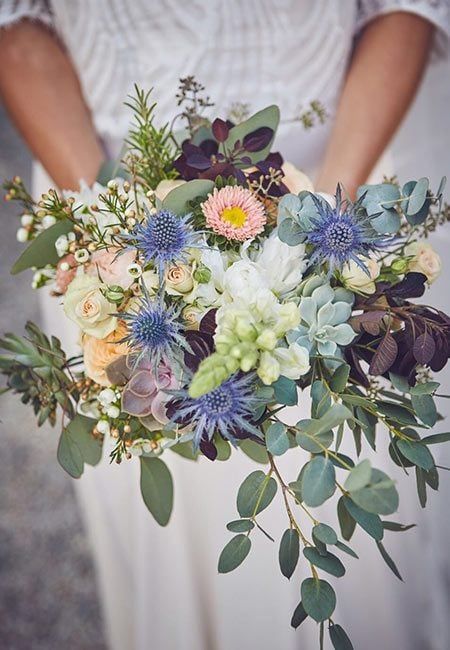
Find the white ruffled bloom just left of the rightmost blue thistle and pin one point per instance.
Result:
(284, 265)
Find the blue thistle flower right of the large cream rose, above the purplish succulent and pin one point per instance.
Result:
(154, 331)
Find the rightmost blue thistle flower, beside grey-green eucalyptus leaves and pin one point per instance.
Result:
(342, 234)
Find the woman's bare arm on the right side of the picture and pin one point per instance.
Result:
(384, 74)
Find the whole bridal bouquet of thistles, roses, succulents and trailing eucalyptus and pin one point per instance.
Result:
(211, 287)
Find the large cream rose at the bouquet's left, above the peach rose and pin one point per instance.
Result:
(85, 304)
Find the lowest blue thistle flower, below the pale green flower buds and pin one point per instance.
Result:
(227, 410)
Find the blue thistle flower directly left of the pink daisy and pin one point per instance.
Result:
(163, 238)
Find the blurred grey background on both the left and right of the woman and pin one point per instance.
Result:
(44, 555)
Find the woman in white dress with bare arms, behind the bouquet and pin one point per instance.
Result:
(66, 67)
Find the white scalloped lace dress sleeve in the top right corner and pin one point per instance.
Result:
(436, 12)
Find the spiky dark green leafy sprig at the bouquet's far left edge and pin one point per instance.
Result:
(37, 368)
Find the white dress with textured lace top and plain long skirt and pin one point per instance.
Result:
(160, 589)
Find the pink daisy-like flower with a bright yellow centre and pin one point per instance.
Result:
(234, 213)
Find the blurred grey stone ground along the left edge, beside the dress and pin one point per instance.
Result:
(48, 596)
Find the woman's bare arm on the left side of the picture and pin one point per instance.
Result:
(40, 89)
